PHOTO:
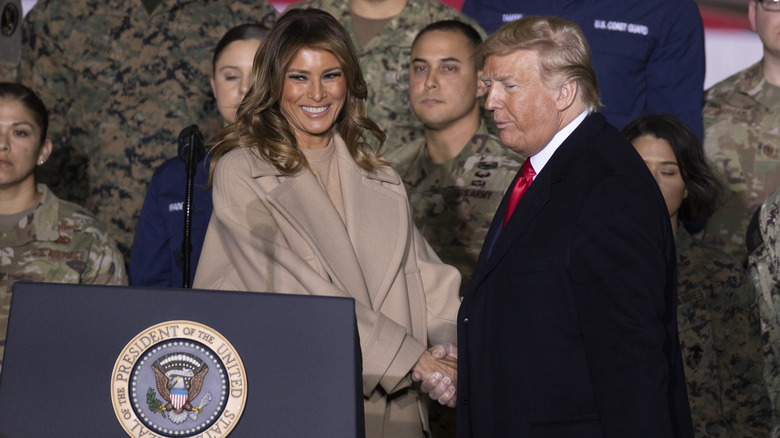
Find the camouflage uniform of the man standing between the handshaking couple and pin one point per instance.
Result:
(453, 203)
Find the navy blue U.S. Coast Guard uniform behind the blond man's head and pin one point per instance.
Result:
(648, 55)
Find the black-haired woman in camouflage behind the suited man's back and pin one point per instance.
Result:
(717, 316)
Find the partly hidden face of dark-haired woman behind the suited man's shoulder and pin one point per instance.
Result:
(660, 159)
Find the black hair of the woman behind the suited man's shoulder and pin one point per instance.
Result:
(700, 179)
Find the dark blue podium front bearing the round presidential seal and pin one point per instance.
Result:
(71, 348)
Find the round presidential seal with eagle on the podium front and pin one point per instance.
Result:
(178, 379)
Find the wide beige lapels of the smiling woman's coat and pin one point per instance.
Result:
(363, 255)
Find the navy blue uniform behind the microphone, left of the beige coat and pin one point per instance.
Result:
(156, 258)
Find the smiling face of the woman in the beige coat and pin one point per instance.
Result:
(313, 96)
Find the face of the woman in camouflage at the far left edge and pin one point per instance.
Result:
(20, 145)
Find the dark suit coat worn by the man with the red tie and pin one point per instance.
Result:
(568, 328)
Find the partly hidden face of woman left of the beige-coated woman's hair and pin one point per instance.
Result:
(233, 76)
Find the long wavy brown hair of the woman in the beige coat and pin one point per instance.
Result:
(261, 125)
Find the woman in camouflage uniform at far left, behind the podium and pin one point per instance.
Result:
(41, 237)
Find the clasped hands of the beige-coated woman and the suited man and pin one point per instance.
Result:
(437, 369)
